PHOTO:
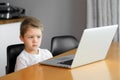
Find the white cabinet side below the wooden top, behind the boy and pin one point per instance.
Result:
(9, 34)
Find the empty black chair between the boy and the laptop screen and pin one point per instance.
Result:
(60, 44)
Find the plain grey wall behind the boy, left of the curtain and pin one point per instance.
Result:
(59, 17)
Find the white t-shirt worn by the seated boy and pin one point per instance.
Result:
(26, 59)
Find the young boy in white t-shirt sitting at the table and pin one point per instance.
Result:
(31, 34)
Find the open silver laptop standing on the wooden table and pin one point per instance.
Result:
(93, 46)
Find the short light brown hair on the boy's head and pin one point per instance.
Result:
(30, 22)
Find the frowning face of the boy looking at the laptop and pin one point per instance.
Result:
(32, 39)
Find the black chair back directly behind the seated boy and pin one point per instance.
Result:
(12, 52)
